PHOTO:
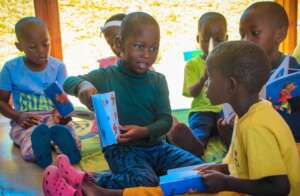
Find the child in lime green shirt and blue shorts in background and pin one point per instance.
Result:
(203, 117)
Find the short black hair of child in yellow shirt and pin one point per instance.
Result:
(242, 60)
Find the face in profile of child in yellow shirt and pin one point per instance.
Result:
(217, 85)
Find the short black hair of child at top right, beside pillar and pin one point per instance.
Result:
(273, 11)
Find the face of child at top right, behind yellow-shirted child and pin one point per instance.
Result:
(256, 28)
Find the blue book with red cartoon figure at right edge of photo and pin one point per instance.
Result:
(282, 90)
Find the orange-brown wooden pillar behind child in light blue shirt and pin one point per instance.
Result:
(48, 11)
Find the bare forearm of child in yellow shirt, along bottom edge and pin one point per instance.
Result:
(272, 185)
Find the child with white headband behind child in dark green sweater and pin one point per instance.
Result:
(111, 30)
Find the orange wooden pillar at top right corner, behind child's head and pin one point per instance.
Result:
(290, 42)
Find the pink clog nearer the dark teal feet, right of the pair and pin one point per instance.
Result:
(72, 176)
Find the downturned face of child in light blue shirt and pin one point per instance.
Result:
(36, 45)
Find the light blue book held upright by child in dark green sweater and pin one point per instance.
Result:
(106, 118)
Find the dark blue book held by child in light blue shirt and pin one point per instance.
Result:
(64, 109)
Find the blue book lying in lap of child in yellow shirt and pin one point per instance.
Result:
(181, 182)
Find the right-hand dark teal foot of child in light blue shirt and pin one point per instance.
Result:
(62, 137)
